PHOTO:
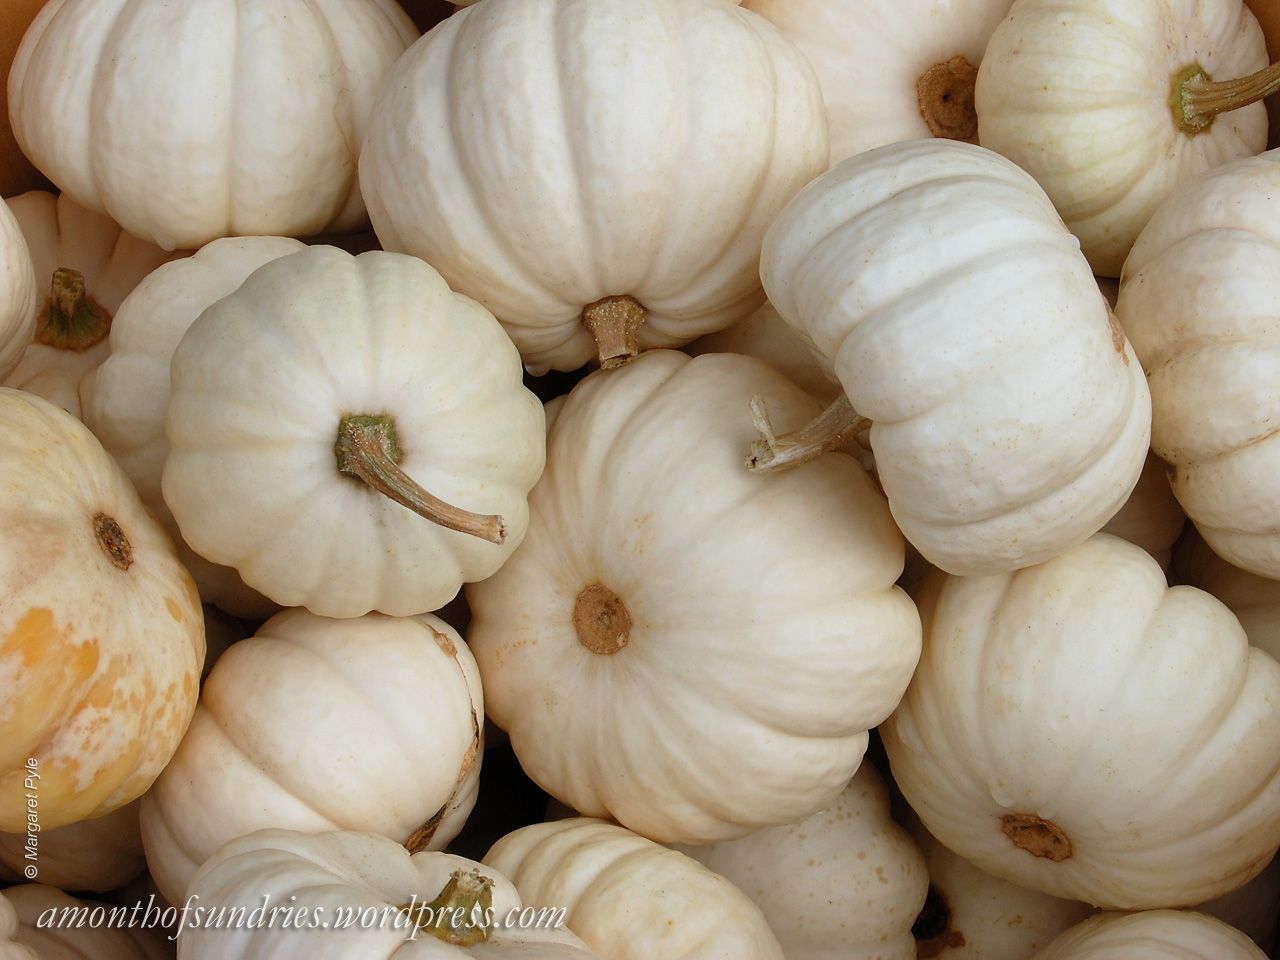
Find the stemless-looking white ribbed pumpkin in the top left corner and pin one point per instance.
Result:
(250, 124)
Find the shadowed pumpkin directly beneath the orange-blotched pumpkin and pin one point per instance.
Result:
(100, 854)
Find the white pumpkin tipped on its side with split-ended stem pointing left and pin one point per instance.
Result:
(1008, 415)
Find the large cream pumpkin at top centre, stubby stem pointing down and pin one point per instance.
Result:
(618, 166)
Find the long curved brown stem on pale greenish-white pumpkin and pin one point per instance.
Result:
(368, 450)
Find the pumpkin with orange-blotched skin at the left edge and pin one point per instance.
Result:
(102, 633)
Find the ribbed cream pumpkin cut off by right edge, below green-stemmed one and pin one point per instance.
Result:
(1199, 301)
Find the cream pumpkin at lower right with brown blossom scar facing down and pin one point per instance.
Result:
(1084, 730)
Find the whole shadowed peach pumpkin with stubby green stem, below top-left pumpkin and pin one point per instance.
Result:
(85, 268)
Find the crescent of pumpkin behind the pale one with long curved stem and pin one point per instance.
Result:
(126, 400)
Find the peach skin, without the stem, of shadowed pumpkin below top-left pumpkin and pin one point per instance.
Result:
(61, 234)
